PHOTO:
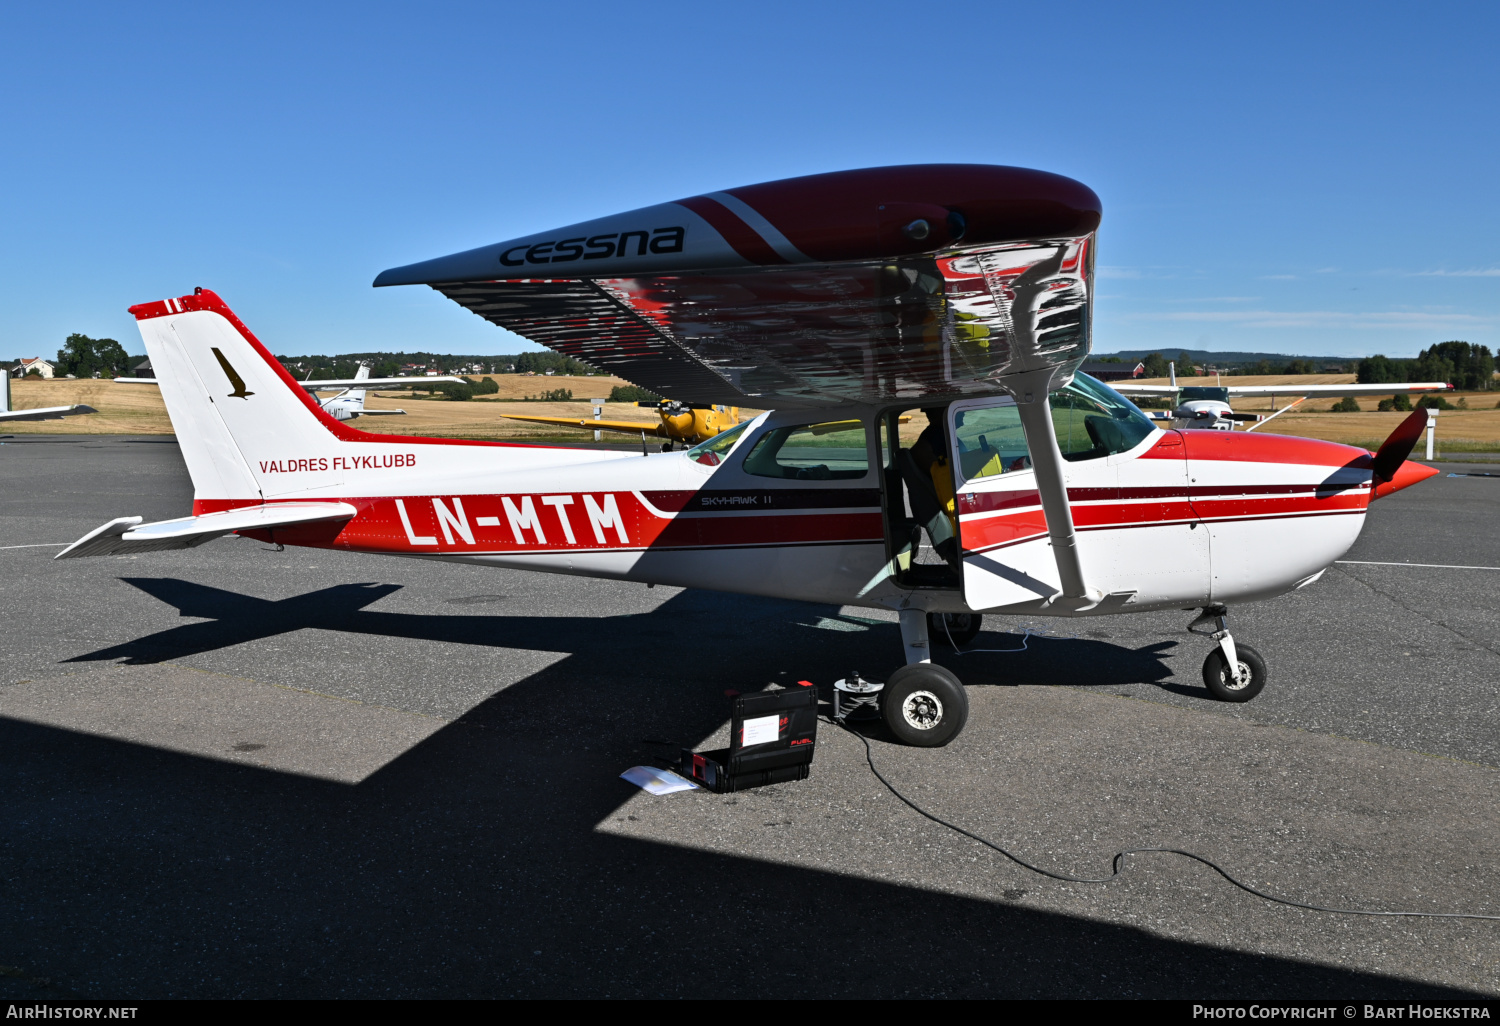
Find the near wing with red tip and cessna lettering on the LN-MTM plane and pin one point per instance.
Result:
(920, 283)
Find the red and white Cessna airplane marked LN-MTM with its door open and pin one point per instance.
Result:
(838, 302)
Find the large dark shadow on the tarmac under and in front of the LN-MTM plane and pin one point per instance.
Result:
(473, 866)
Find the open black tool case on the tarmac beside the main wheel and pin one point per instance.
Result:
(782, 733)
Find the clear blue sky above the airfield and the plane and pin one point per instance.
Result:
(1282, 178)
